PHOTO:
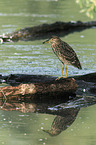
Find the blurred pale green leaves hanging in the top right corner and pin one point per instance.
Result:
(87, 6)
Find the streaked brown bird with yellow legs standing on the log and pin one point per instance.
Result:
(64, 52)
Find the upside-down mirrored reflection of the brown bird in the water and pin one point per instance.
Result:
(61, 123)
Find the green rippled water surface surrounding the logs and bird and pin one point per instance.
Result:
(36, 58)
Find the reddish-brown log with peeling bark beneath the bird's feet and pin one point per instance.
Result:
(41, 91)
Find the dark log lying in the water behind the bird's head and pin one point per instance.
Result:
(46, 30)
